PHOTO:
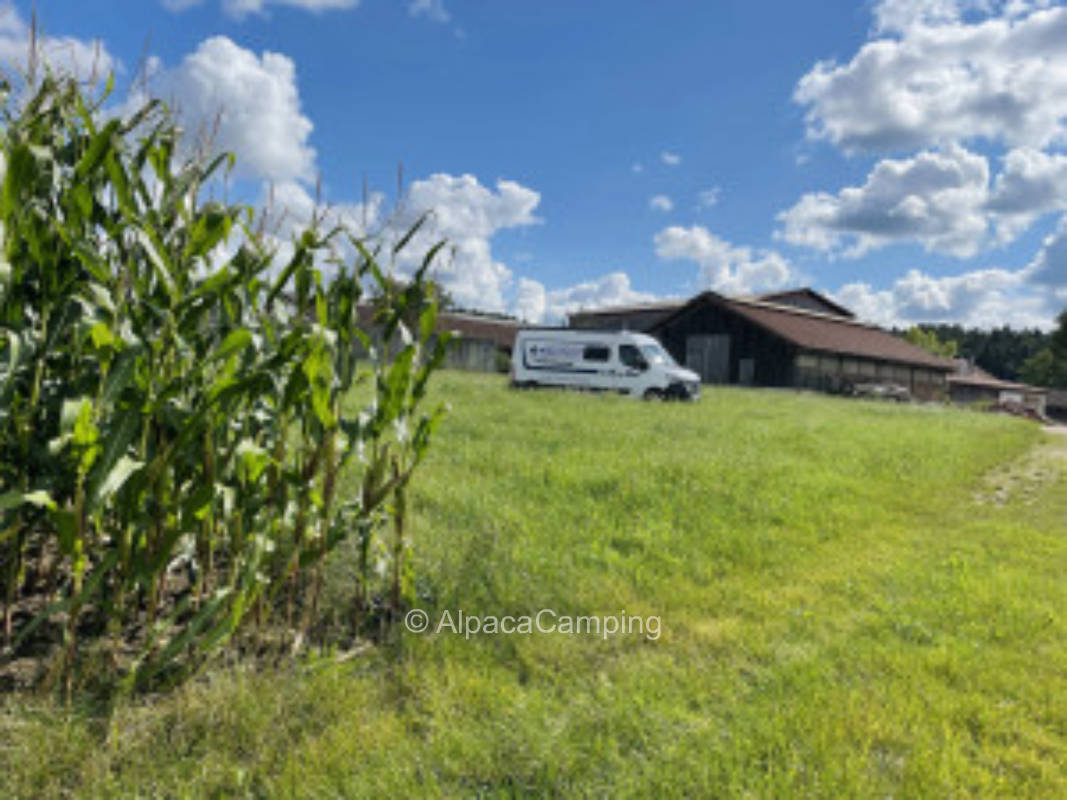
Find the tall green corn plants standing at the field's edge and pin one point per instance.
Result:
(173, 420)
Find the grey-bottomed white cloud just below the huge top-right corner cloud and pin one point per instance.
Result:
(936, 199)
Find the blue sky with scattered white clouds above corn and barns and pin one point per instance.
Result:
(906, 157)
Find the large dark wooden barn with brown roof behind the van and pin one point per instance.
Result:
(798, 339)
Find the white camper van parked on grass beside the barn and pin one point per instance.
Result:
(610, 361)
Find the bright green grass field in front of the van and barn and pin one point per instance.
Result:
(857, 600)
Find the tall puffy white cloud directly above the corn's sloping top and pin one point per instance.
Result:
(245, 104)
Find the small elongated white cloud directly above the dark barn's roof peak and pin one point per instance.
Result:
(724, 267)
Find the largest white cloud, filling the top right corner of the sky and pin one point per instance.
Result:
(946, 77)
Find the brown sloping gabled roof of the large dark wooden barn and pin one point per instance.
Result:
(822, 332)
